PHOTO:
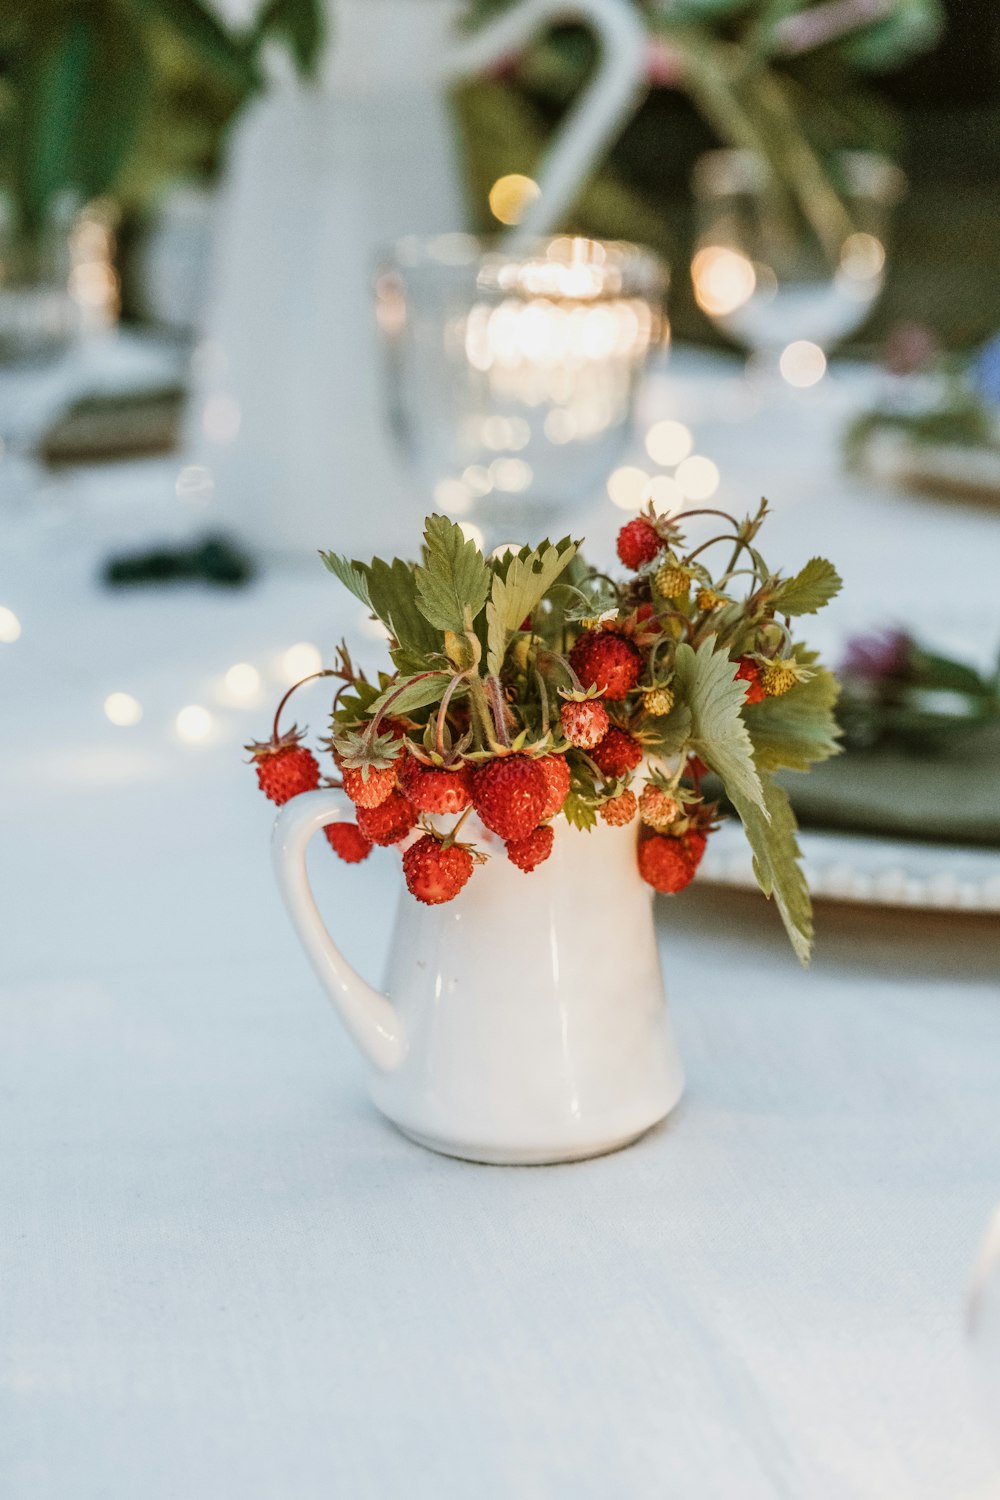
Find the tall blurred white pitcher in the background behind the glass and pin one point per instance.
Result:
(289, 409)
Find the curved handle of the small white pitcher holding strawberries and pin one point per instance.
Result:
(365, 1012)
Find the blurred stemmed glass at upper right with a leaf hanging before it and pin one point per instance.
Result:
(785, 286)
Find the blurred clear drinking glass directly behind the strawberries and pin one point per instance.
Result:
(512, 374)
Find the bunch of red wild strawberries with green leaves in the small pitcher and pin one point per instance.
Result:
(566, 701)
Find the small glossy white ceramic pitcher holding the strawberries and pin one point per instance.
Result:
(524, 1022)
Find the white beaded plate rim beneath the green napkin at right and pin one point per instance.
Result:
(878, 872)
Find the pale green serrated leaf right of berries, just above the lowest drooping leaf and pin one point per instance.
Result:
(705, 680)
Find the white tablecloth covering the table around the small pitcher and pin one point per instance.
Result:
(223, 1274)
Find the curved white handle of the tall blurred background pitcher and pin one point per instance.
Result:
(596, 116)
